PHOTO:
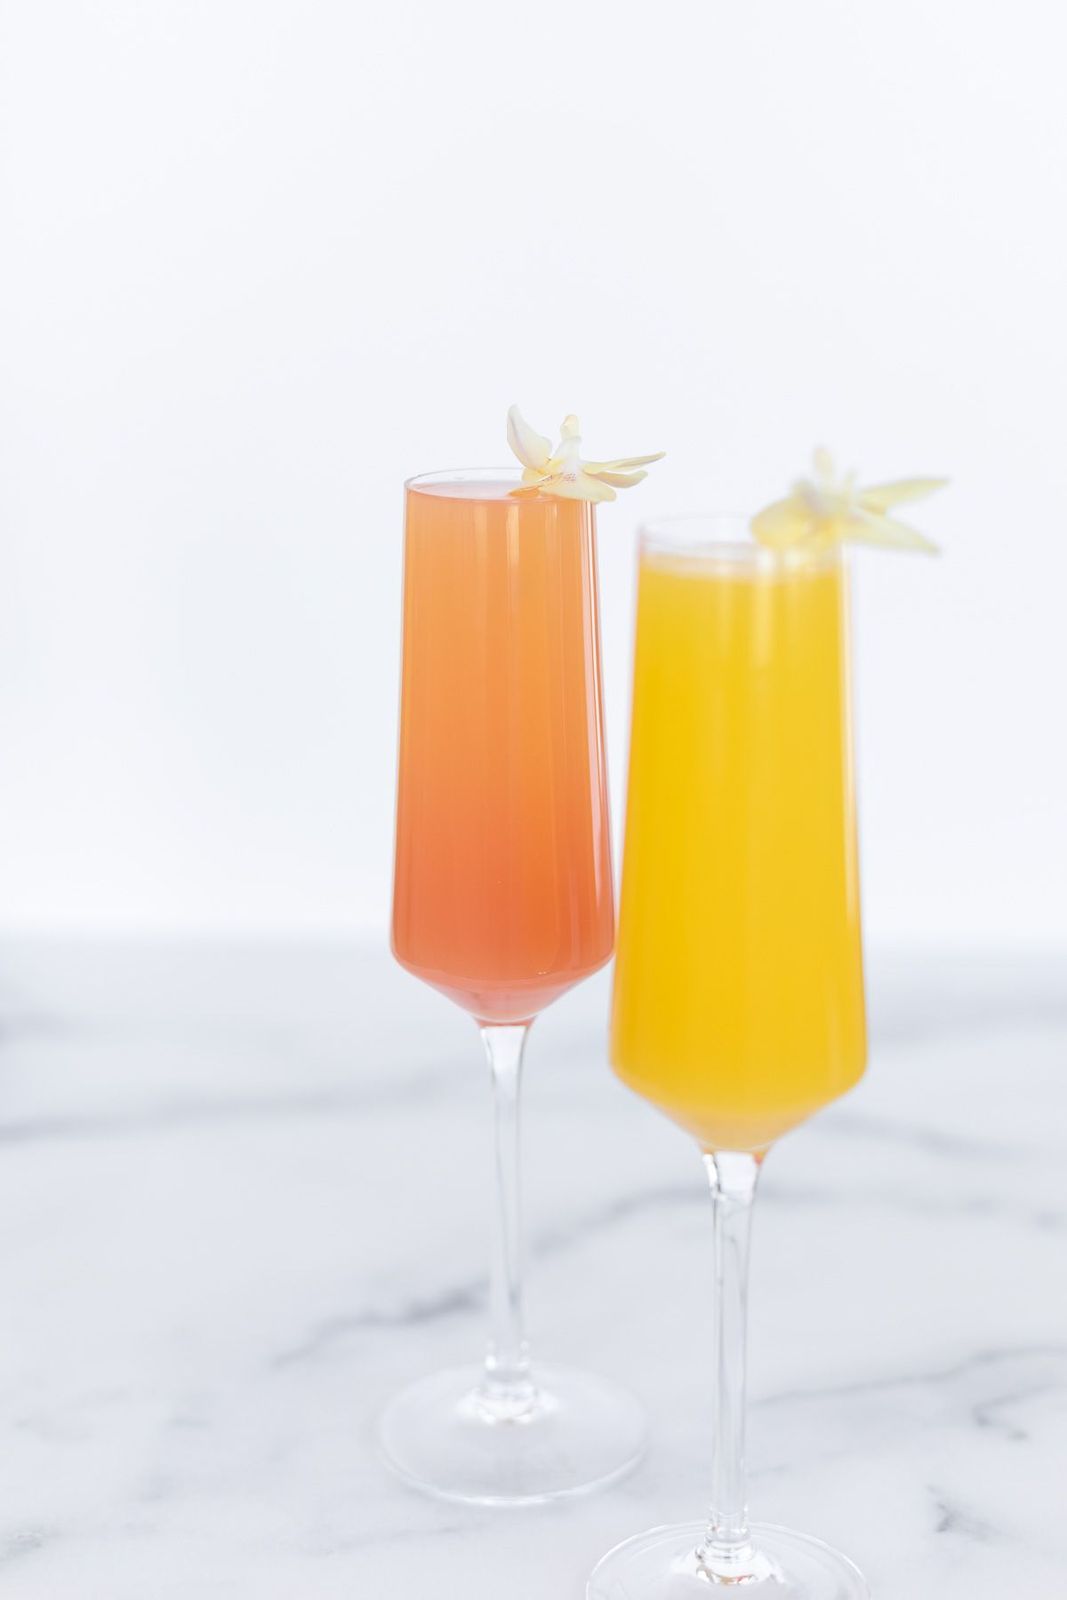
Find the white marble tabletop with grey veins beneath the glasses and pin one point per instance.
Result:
(242, 1201)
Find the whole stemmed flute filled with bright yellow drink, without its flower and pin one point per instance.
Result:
(738, 994)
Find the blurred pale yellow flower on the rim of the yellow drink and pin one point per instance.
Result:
(829, 510)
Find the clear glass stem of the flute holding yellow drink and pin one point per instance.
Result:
(727, 1550)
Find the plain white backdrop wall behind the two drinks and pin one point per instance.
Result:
(263, 260)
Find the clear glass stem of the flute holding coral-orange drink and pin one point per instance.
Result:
(508, 1383)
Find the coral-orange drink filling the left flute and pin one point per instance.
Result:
(503, 892)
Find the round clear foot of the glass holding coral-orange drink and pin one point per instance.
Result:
(562, 1434)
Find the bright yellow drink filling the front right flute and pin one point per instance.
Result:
(740, 991)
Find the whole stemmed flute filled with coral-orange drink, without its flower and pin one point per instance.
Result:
(503, 900)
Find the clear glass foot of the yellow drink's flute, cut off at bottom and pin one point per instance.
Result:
(668, 1564)
